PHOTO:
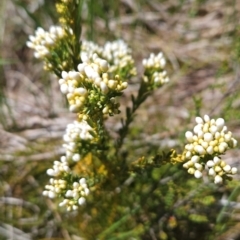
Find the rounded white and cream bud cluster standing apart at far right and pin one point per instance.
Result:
(206, 143)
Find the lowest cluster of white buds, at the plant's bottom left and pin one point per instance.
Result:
(72, 197)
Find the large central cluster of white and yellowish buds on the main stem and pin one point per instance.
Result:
(89, 86)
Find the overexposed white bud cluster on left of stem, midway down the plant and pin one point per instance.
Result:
(76, 134)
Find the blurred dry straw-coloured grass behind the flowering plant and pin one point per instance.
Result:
(198, 41)
